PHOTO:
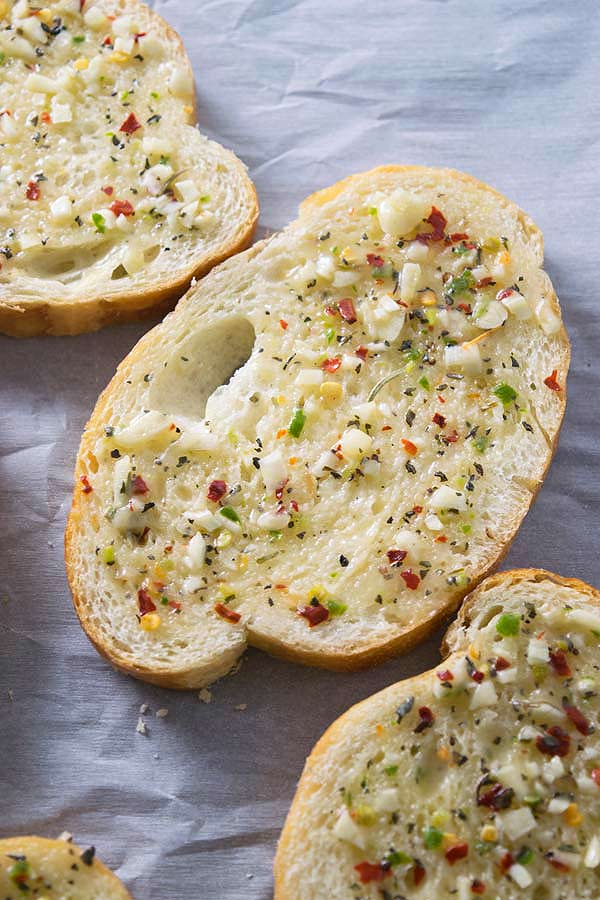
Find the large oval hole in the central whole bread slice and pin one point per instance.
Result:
(200, 365)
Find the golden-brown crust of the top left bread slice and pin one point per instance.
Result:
(82, 315)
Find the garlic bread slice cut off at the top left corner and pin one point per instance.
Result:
(111, 200)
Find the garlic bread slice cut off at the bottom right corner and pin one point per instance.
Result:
(479, 778)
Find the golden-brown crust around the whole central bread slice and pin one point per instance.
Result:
(343, 659)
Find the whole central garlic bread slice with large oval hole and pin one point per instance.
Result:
(329, 442)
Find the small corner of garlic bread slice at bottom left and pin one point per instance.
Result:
(54, 870)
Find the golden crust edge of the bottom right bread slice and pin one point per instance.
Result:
(296, 815)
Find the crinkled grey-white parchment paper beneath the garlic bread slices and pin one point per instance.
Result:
(305, 92)
